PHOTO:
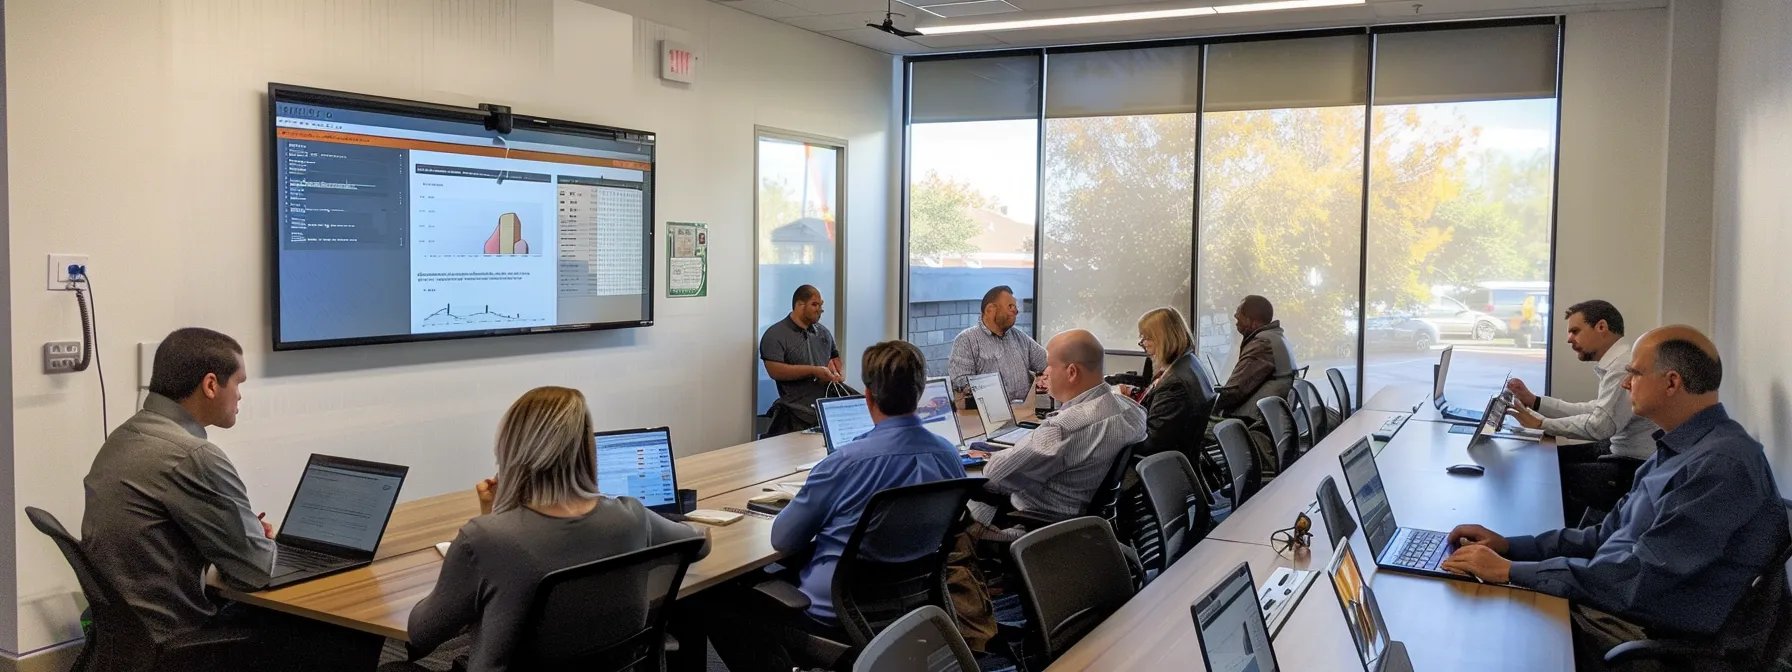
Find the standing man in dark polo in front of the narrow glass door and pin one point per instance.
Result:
(802, 356)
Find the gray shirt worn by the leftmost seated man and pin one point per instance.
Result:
(162, 504)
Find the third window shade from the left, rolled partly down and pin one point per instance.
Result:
(1277, 74)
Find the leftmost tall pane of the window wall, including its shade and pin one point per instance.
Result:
(974, 162)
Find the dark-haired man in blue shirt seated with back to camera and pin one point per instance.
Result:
(820, 521)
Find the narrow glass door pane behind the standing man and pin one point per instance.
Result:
(798, 234)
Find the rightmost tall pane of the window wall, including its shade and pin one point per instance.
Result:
(1460, 214)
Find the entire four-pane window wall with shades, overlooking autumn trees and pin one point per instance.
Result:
(1390, 191)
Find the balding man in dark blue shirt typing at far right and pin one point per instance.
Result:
(1702, 522)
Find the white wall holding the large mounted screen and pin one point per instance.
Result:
(144, 126)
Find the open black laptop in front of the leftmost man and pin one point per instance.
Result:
(336, 519)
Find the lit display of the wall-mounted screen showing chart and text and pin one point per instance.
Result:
(402, 227)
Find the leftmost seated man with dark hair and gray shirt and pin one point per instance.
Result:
(164, 503)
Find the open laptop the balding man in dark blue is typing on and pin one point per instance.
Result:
(1397, 549)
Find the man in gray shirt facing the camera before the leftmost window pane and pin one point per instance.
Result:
(995, 345)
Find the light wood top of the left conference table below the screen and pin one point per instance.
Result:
(379, 598)
